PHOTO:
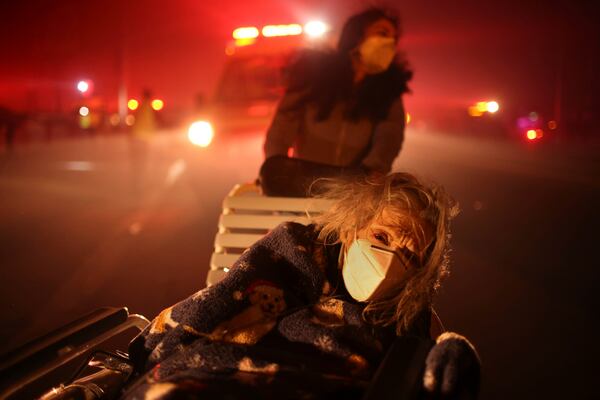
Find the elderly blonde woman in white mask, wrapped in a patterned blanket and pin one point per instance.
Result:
(315, 310)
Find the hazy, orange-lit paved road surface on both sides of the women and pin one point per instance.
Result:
(102, 221)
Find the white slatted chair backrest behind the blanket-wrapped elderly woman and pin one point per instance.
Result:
(247, 216)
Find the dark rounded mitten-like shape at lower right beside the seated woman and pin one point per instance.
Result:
(452, 368)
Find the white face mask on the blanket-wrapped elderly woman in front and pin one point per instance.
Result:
(371, 271)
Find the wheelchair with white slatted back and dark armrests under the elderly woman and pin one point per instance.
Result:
(87, 359)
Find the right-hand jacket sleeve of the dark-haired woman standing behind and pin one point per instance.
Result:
(387, 140)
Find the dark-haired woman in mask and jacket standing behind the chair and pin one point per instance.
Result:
(342, 111)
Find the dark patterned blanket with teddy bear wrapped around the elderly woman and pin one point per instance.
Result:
(281, 315)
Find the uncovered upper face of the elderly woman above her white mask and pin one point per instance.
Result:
(400, 232)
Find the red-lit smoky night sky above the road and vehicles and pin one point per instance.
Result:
(461, 51)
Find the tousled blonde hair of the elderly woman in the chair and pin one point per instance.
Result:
(359, 202)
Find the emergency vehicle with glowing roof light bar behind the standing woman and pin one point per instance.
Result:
(251, 82)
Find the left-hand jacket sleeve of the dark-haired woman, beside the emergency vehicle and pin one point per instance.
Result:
(286, 125)
